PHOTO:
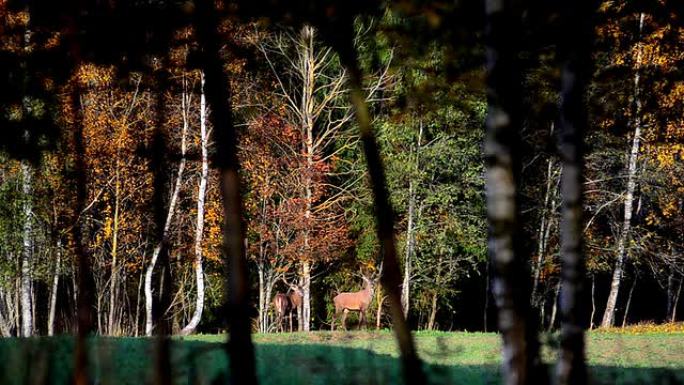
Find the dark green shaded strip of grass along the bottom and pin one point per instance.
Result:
(129, 361)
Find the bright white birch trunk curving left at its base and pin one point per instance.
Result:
(201, 193)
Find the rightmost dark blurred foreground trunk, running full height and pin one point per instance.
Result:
(575, 50)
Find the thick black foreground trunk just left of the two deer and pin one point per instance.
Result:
(240, 349)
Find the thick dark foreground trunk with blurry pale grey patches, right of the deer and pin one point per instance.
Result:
(510, 280)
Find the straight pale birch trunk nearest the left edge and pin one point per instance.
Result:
(25, 286)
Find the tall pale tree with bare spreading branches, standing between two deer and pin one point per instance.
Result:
(313, 87)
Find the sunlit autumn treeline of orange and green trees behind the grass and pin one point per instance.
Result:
(308, 205)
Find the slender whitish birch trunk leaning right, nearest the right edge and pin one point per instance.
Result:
(623, 239)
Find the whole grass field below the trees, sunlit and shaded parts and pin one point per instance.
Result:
(337, 358)
